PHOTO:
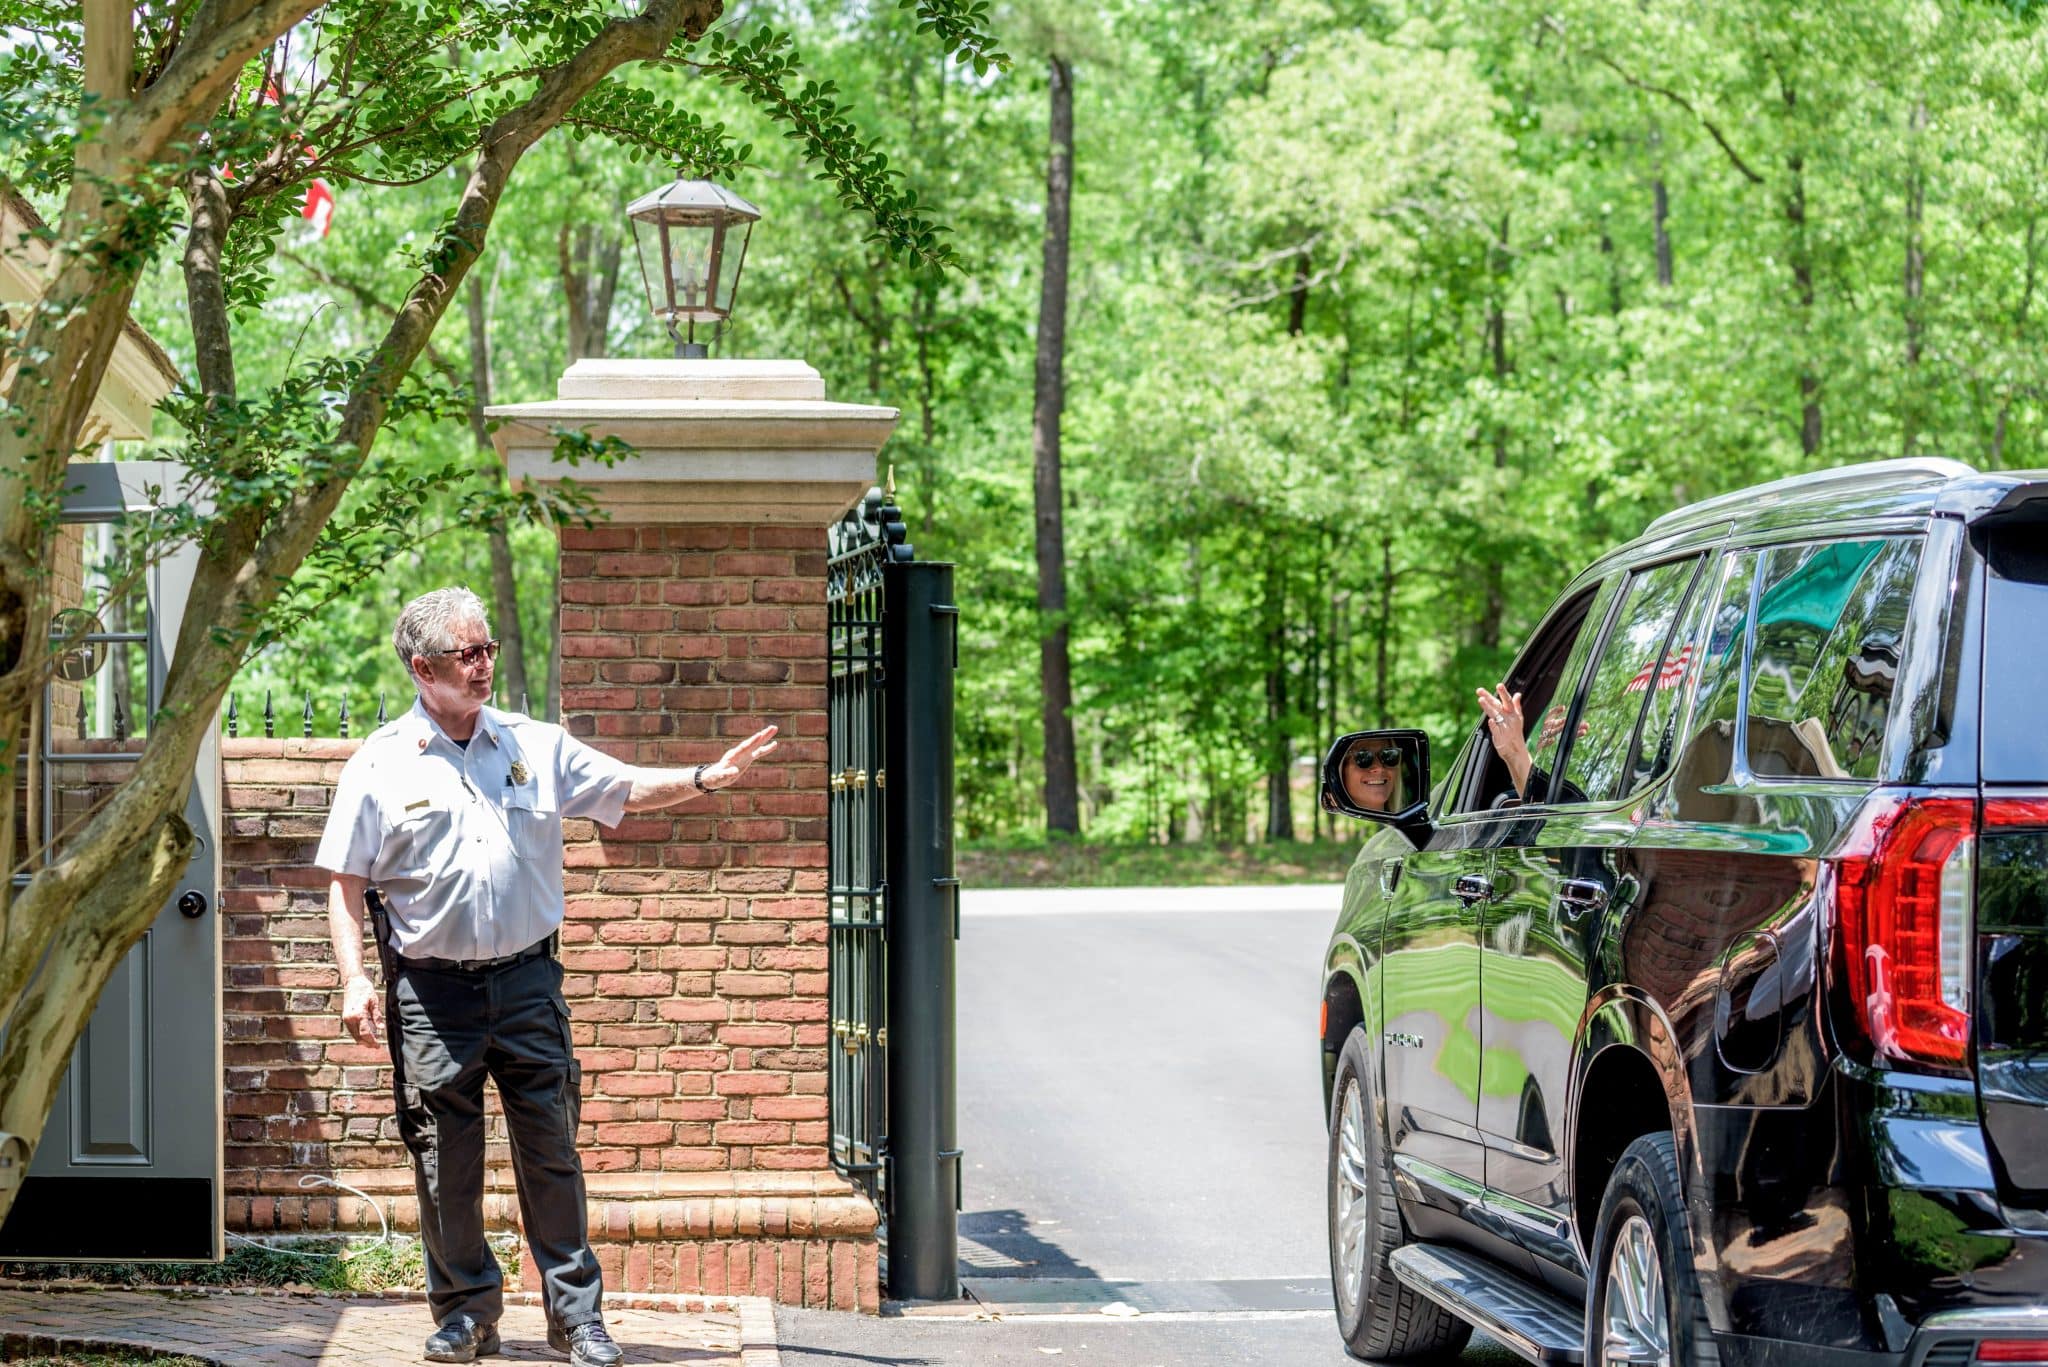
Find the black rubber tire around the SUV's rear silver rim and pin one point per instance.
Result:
(1646, 1188)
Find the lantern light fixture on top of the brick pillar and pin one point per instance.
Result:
(691, 239)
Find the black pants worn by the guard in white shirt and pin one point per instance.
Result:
(452, 1030)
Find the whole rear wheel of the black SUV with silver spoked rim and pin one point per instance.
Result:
(1646, 1296)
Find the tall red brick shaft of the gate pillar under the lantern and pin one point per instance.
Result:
(701, 931)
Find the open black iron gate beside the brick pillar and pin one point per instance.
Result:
(894, 901)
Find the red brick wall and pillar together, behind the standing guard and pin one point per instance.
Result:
(695, 946)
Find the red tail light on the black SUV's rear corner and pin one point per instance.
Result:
(1904, 890)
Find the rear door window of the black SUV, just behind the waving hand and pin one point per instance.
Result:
(1631, 669)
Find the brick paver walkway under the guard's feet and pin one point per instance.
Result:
(294, 1331)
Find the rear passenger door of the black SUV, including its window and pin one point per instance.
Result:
(1555, 880)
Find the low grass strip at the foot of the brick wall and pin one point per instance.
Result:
(280, 1264)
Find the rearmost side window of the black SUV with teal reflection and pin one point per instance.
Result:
(1828, 628)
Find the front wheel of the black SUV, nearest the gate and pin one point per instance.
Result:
(1377, 1315)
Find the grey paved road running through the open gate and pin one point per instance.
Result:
(1142, 1118)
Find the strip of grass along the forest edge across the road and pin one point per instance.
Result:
(1072, 864)
